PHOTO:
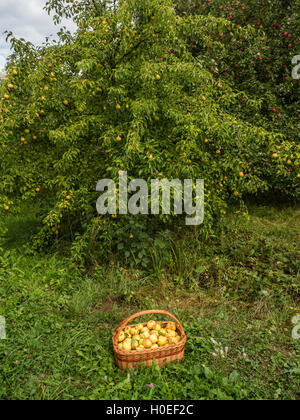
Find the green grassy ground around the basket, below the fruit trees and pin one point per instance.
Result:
(241, 289)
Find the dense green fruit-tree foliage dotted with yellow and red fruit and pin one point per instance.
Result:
(162, 91)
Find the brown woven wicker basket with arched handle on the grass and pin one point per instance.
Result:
(162, 355)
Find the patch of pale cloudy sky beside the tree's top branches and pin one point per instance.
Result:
(26, 19)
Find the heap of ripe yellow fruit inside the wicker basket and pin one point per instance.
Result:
(151, 336)
